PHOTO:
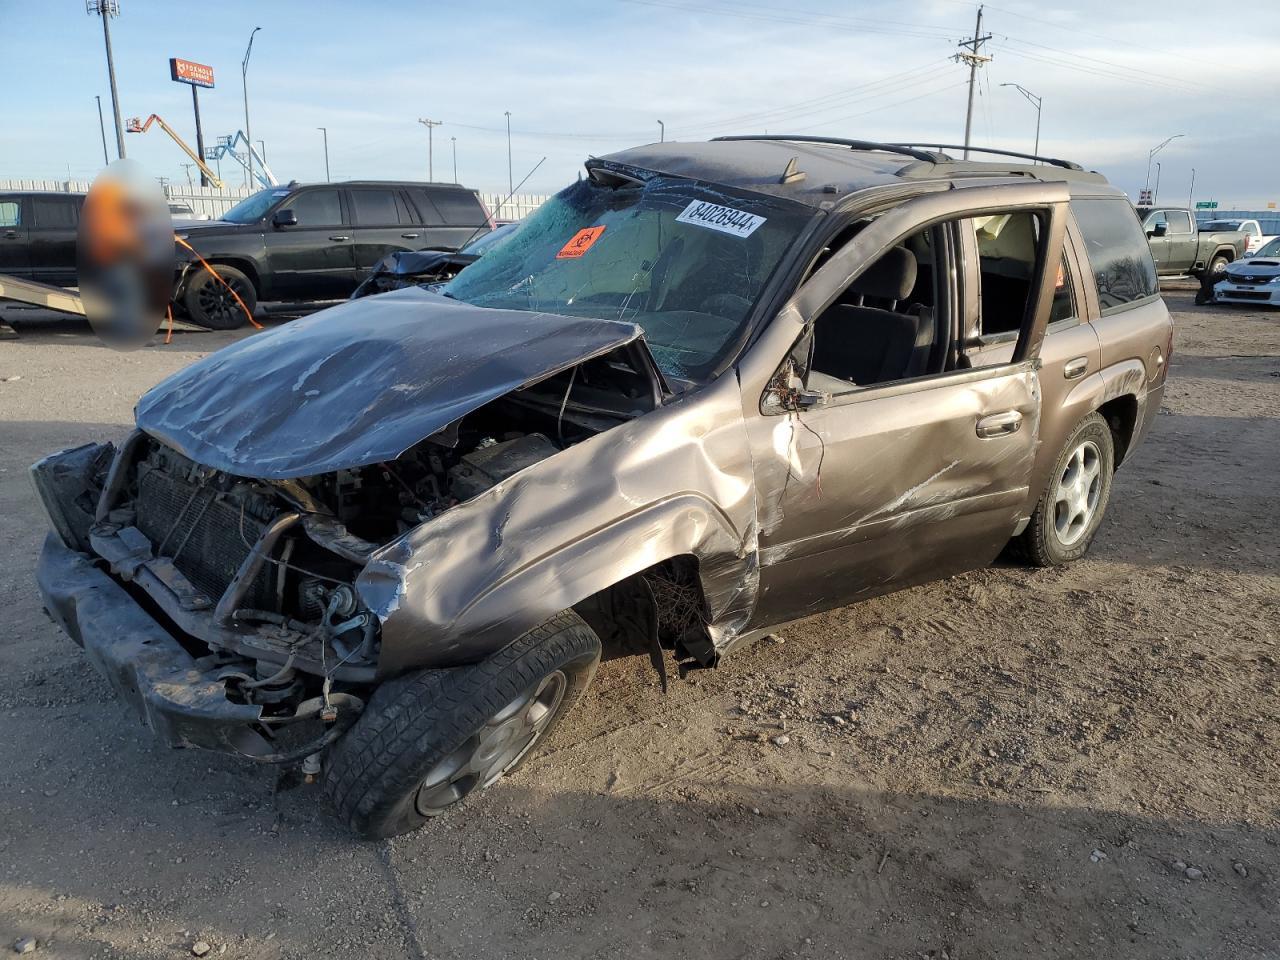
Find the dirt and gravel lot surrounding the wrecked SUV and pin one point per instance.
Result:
(1067, 764)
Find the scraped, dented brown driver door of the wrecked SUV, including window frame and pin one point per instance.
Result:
(867, 488)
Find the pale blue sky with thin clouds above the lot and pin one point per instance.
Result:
(588, 79)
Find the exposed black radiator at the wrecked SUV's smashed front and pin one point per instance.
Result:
(203, 536)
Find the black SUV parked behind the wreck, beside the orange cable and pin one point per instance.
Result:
(316, 243)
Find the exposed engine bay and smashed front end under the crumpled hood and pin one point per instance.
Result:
(266, 569)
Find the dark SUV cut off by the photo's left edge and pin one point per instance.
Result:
(38, 236)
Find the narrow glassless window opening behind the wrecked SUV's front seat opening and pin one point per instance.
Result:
(1007, 267)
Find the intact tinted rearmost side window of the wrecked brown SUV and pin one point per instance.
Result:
(1118, 252)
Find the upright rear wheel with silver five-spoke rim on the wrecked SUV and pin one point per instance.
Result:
(1071, 510)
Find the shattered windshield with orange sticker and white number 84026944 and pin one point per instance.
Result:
(682, 259)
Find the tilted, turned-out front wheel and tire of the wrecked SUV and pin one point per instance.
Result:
(429, 739)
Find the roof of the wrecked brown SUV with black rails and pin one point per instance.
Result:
(831, 168)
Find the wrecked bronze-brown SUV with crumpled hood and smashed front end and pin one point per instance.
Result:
(706, 391)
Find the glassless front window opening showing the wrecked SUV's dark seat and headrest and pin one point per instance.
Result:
(889, 324)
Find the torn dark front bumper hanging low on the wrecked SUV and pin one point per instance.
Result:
(143, 661)
